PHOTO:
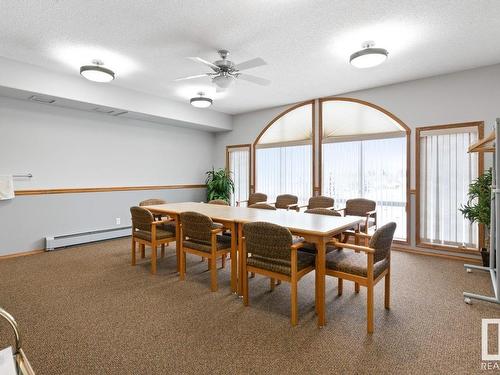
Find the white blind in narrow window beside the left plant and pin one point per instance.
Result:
(239, 159)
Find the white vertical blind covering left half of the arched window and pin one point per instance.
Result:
(284, 170)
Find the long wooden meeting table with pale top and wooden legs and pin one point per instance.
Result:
(317, 229)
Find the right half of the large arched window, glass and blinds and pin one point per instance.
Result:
(364, 155)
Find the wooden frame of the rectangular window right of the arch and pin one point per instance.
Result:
(480, 168)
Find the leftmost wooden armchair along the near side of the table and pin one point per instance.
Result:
(148, 231)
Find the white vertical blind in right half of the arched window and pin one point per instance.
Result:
(374, 169)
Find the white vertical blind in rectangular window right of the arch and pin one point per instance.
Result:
(446, 170)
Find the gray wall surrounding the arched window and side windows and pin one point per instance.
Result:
(472, 95)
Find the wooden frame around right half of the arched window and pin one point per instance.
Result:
(408, 153)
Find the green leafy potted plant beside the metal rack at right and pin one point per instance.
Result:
(478, 207)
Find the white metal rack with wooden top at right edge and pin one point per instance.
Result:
(486, 145)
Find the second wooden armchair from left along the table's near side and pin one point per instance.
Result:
(199, 237)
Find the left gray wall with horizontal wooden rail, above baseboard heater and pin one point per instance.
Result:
(66, 148)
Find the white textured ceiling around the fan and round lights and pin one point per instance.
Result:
(305, 43)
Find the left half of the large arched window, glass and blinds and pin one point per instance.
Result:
(283, 154)
